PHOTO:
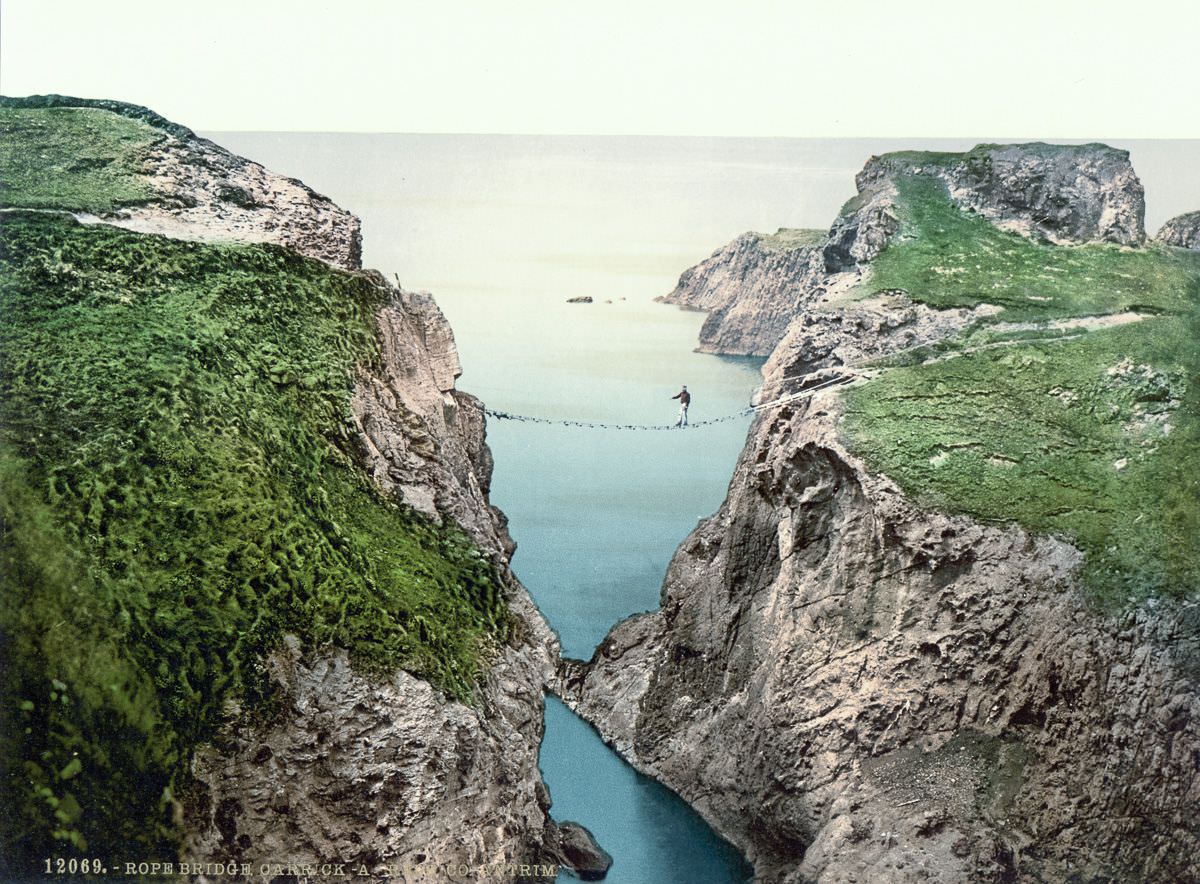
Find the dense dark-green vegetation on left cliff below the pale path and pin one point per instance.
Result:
(179, 492)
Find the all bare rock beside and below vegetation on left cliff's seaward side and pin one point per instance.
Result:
(391, 773)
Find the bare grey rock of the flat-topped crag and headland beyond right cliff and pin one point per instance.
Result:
(754, 287)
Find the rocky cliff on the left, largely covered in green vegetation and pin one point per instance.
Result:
(329, 753)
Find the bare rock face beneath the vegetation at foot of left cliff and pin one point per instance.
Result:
(382, 774)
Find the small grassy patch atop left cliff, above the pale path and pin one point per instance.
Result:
(87, 160)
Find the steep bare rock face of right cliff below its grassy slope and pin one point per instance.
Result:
(853, 689)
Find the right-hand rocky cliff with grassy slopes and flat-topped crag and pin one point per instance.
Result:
(913, 646)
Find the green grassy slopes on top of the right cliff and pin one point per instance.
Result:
(1090, 435)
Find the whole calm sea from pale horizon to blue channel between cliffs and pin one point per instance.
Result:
(503, 231)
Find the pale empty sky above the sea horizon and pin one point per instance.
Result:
(1023, 69)
